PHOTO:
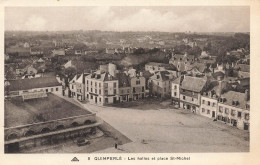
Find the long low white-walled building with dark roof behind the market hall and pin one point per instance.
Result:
(23, 87)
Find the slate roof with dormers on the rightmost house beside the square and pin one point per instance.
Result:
(235, 96)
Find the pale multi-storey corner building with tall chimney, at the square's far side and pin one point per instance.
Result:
(102, 87)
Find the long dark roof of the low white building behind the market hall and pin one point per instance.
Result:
(26, 84)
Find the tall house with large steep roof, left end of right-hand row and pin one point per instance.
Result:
(190, 93)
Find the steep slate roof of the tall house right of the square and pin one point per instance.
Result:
(194, 84)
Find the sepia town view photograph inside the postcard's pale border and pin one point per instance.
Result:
(126, 79)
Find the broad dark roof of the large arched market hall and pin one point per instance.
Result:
(37, 110)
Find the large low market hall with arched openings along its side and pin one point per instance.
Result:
(44, 120)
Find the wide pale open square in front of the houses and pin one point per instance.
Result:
(170, 130)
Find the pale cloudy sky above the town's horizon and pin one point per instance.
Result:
(129, 18)
